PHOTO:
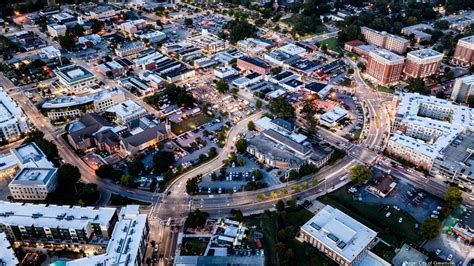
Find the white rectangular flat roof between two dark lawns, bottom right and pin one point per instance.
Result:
(339, 232)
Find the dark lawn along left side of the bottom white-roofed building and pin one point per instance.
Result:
(270, 224)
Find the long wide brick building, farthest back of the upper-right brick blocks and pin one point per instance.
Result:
(383, 39)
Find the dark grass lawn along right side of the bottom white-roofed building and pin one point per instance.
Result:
(373, 216)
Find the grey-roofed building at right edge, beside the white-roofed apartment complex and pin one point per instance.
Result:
(455, 163)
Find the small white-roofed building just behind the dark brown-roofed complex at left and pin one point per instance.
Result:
(125, 112)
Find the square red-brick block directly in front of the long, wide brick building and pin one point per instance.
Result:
(384, 66)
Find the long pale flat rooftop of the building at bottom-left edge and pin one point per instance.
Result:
(42, 215)
